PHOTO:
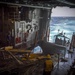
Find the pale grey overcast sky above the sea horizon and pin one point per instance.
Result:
(63, 11)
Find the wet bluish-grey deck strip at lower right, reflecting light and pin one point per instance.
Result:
(64, 67)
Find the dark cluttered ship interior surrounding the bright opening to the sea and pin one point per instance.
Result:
(25, 48)
